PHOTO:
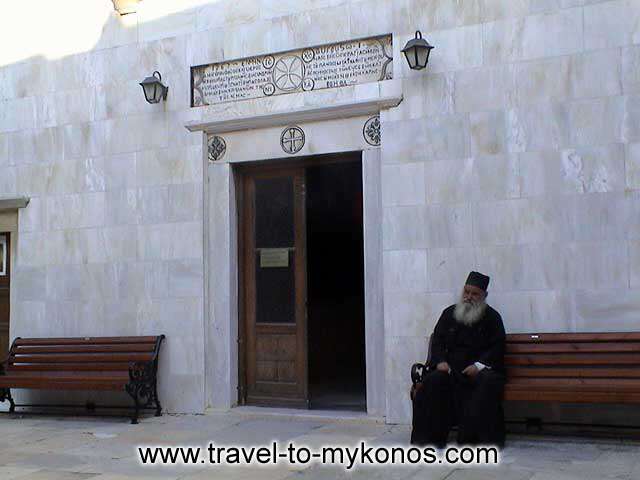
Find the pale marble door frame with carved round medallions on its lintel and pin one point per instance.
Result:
(264, 138)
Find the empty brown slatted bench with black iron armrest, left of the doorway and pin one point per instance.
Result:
(128, 364)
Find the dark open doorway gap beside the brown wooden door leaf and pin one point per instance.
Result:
(335, 286)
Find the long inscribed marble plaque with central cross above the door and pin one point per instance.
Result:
(329, 66)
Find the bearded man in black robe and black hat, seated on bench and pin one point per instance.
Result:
(464, 379)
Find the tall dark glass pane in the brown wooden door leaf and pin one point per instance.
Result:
(275, 270)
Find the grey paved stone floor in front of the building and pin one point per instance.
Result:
(39, 447)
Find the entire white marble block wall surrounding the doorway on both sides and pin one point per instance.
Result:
(517, 152)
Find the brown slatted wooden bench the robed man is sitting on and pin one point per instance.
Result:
(570, 368)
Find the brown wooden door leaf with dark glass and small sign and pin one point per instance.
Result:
(275, 288)
